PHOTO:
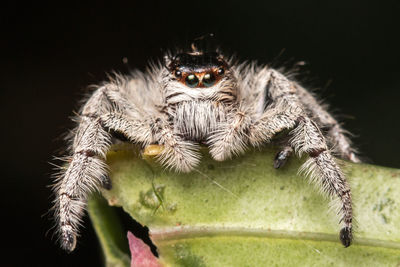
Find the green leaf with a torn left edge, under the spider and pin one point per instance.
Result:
(243, 212)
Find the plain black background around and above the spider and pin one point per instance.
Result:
(49, 54)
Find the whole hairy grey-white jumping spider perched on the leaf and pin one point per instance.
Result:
(201, 97)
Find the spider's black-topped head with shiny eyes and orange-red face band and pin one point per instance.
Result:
(198, 69)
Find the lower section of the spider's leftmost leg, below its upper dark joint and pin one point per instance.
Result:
(85, 173)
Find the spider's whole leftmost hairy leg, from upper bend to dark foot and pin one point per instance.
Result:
(86, 170)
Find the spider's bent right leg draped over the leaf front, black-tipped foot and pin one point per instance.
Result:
(287, 112)
